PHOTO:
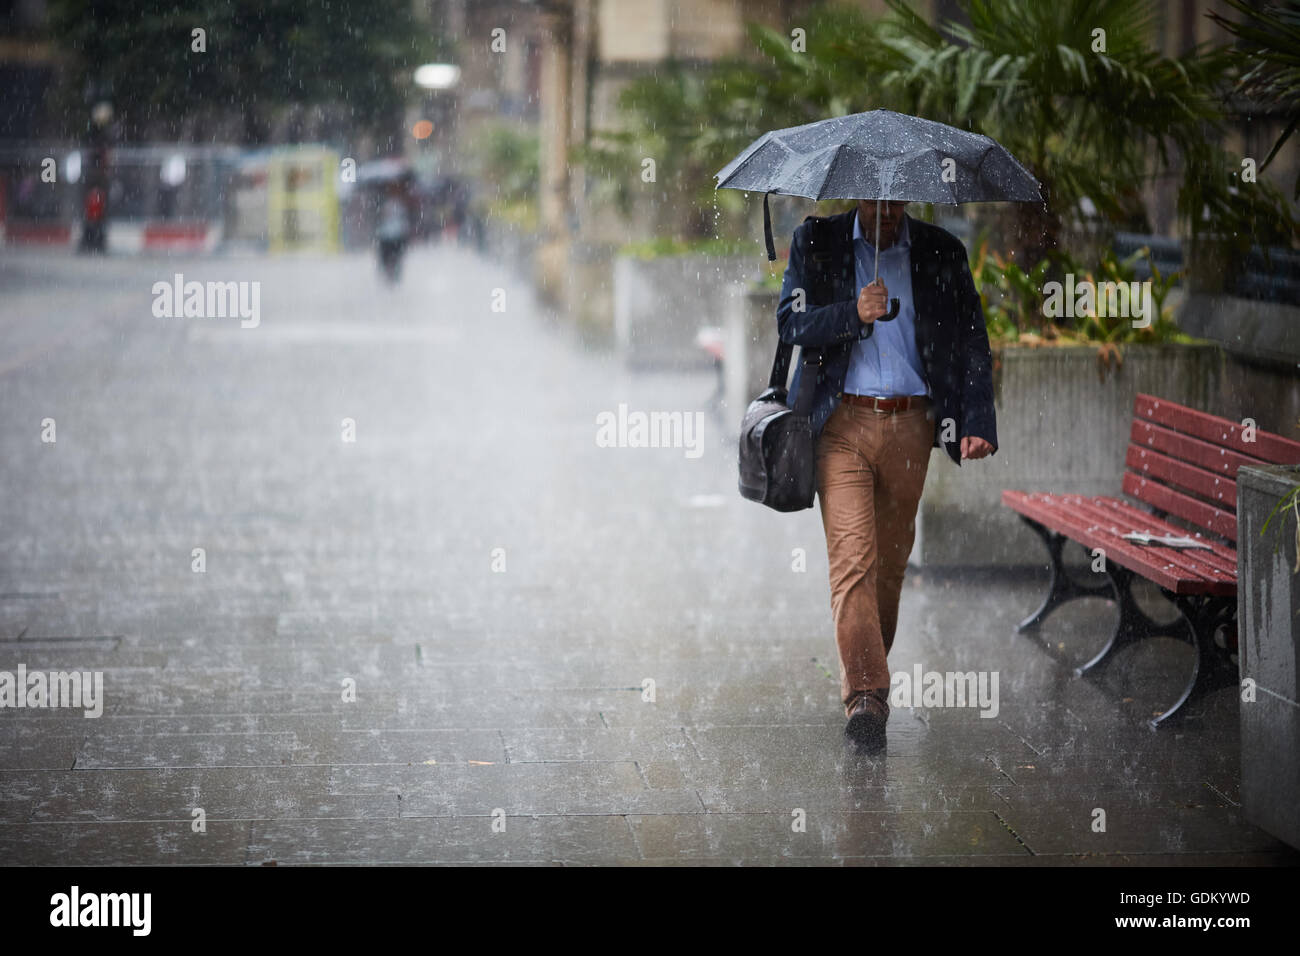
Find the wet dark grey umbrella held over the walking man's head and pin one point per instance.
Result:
(881, 155)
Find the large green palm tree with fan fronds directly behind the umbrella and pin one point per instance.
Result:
(1072, 89)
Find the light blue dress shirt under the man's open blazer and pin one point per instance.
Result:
(887, 365)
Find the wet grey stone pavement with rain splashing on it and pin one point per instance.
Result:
(478, 635)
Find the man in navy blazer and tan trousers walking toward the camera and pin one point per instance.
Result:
(887, 391)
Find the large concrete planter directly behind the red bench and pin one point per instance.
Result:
(1063, 426)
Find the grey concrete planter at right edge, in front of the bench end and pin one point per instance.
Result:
(1269, 630)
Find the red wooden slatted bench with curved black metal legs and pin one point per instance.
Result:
(1181, 464)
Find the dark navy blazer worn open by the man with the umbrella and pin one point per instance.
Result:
(951, 336)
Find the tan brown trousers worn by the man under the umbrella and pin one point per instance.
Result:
(872, 470)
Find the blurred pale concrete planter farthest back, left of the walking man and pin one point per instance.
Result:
(660, 306)
